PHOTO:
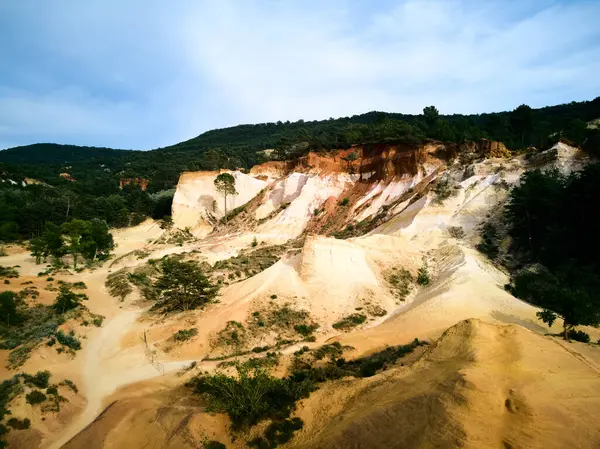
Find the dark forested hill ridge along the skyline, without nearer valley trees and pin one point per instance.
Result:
(241, 146)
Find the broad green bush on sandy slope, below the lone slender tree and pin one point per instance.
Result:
(183, 286)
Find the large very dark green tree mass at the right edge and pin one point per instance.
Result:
(549, 220)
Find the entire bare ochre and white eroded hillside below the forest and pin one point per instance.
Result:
(322, 254)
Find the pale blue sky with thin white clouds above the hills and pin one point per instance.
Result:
(142, 74)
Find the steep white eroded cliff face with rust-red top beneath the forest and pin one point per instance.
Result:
(364, 178)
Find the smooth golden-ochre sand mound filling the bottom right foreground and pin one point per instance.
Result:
(481, 386)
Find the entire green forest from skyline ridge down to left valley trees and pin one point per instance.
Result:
(95, 193)
